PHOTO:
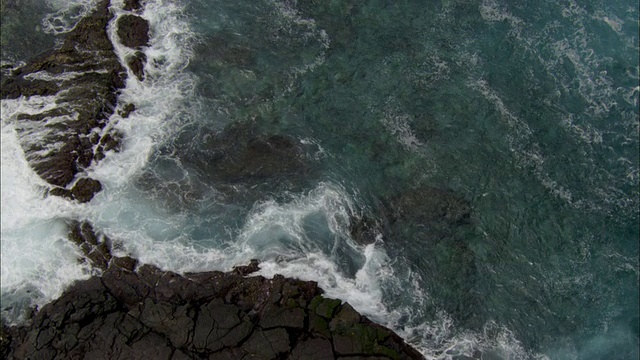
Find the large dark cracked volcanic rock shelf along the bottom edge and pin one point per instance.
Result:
(149, 313)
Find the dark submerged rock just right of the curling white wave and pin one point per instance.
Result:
(431, 228)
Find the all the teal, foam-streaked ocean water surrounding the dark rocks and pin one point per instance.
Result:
(527, 110)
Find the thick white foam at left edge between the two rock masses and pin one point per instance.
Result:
(37, 260)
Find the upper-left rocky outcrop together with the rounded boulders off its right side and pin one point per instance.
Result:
(84, 75)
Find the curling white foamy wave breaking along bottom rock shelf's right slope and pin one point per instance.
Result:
(278, 235)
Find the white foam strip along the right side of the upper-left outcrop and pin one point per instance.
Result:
(162, 100)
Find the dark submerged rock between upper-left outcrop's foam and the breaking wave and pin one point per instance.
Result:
(238, 165)
